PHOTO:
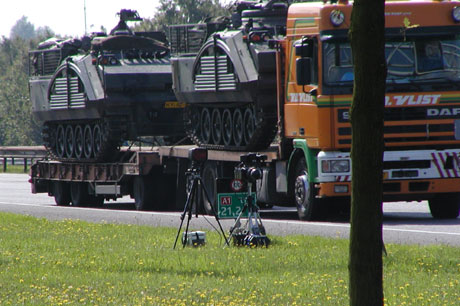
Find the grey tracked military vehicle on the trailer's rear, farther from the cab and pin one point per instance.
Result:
(94, 93)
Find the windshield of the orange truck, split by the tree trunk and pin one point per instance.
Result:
(422, 64)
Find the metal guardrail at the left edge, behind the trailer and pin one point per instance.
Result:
(9, 155)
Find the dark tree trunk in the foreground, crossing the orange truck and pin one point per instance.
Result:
(367, 111)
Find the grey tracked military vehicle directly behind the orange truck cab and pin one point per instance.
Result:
(225, 71)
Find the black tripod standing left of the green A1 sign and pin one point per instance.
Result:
(192, 203)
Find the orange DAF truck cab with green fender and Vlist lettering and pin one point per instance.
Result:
(422, 104)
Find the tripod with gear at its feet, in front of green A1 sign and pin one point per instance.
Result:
(253, 233)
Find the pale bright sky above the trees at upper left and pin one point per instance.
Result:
(67, 17)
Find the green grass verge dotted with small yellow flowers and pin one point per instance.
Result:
(77, 263)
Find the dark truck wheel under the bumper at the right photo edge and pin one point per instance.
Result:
(445, 206)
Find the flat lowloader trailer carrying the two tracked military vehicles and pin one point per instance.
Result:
(155, 178)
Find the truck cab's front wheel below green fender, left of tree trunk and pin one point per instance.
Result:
(308, 206)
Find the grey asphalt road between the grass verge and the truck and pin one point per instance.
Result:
(404, 222)
